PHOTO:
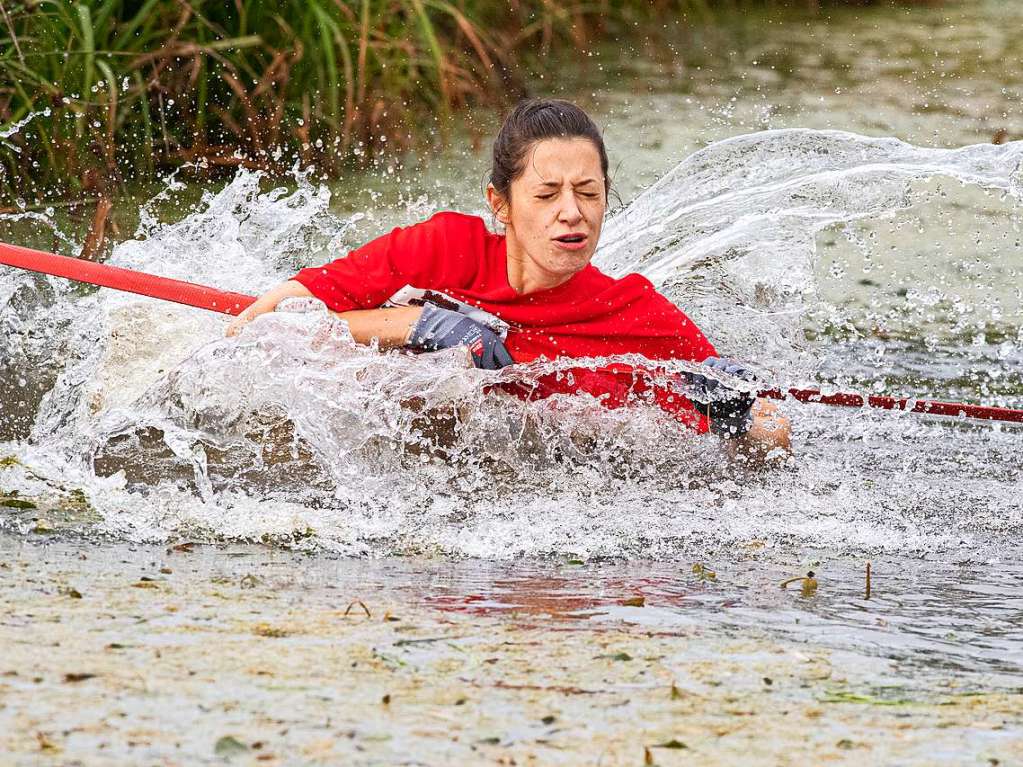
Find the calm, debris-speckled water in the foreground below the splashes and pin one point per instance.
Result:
(177, 657)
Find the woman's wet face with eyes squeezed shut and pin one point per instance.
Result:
(556, 213)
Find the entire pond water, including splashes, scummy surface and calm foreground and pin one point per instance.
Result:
(813, 193)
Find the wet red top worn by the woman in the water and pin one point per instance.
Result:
(592, 315)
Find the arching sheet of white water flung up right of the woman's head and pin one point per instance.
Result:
(732, 233)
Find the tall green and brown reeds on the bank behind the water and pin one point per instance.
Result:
(98, 93)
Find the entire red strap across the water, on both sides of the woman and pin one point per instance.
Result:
(235, 303)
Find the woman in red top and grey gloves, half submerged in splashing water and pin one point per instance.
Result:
(549, 188)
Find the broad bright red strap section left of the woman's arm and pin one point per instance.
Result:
(125, 280)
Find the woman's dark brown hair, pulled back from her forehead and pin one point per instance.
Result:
(536, 120)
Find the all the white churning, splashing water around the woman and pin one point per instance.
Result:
(294, 433)
